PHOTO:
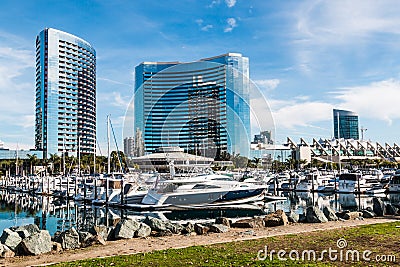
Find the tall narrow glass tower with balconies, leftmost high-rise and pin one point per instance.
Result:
(65, 93)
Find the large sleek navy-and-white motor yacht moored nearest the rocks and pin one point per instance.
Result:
(203, 190)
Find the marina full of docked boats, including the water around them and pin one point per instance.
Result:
(59, 203)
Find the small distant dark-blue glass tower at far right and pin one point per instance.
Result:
(345, 124)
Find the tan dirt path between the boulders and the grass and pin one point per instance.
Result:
(139, 245)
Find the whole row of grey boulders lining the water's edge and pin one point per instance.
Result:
(29, 240)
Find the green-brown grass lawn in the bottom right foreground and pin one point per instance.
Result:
(382, 240)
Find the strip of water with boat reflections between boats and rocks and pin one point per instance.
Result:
(58, 215)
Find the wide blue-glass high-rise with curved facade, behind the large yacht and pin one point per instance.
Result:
(202, 107)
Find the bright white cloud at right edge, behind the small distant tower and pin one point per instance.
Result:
(378, 100)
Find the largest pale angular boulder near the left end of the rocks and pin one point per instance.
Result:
(37, 244)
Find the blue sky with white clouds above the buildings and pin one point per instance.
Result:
(306, 57)
